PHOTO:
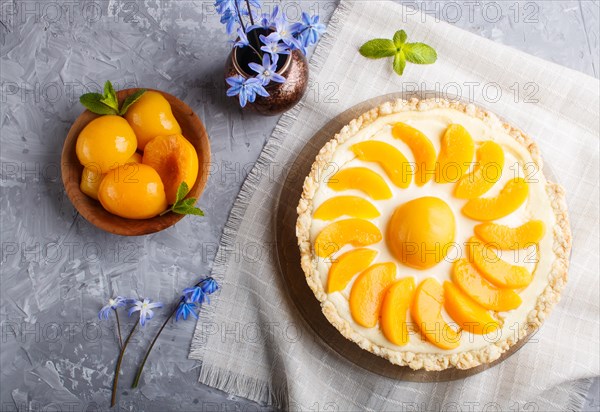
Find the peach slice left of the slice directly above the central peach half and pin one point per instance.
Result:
(388, 157)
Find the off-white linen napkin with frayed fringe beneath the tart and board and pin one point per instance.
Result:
(252, 342)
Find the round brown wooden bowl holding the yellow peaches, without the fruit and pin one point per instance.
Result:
(91, 209)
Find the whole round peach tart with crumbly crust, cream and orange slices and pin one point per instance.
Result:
(431, 236)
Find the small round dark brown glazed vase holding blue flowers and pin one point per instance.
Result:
(282, 96)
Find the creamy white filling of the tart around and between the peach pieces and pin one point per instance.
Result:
(518, 162)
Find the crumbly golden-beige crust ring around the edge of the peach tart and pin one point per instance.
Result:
(434, 361)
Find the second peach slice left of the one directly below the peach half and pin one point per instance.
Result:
(367, 293)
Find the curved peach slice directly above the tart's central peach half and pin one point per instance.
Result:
(422, 149)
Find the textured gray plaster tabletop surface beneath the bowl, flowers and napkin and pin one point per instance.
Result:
(57, 269)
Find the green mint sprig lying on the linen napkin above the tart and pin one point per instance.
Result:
(417, 53)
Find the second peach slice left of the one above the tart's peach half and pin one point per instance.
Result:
(363, 179)
